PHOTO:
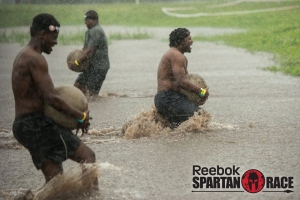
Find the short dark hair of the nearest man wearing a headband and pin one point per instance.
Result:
(43, 21)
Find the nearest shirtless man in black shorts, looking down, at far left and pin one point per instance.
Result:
(48, 143)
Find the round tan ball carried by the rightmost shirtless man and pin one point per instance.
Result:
(198, 81)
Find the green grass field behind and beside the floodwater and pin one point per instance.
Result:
(276, 32)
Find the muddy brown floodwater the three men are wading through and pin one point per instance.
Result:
(254, 124)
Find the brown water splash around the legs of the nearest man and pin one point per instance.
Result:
(75, 183)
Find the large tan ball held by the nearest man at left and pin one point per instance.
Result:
(73, 96)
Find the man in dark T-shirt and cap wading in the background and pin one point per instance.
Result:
(95, 52)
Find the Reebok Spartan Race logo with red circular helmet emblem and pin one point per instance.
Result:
(228, 179)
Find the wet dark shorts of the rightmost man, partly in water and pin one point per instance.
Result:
(174, 106)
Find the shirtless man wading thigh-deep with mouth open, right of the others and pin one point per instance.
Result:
(170, 103)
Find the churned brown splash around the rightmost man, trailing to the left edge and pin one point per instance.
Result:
(146, 123)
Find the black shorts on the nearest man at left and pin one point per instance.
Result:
(45, 140)
